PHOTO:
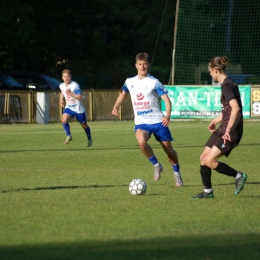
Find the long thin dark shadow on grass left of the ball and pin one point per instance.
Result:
(58, 188)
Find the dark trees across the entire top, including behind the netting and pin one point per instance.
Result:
(102, 37)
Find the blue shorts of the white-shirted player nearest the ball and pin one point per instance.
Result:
(160, 132)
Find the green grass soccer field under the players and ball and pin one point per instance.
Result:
(72, 202)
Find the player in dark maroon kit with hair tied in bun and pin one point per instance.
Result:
(227, 136)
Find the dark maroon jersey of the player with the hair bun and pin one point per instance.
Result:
(229, 91)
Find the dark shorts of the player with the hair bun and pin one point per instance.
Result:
(217, 140)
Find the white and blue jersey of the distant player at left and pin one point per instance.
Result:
(72, 103)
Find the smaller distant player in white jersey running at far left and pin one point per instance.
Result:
(71, 92)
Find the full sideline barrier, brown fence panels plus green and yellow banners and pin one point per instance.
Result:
(188, 102)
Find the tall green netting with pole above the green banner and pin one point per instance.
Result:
(209, 28)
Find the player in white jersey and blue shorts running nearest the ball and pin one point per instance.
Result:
(145, 91)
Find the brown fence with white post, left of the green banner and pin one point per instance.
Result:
(43, 107)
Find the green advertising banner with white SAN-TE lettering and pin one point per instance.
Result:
(201, 101)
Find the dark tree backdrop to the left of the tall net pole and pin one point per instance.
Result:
(89, 37)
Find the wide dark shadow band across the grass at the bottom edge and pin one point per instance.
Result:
(178, 246)
